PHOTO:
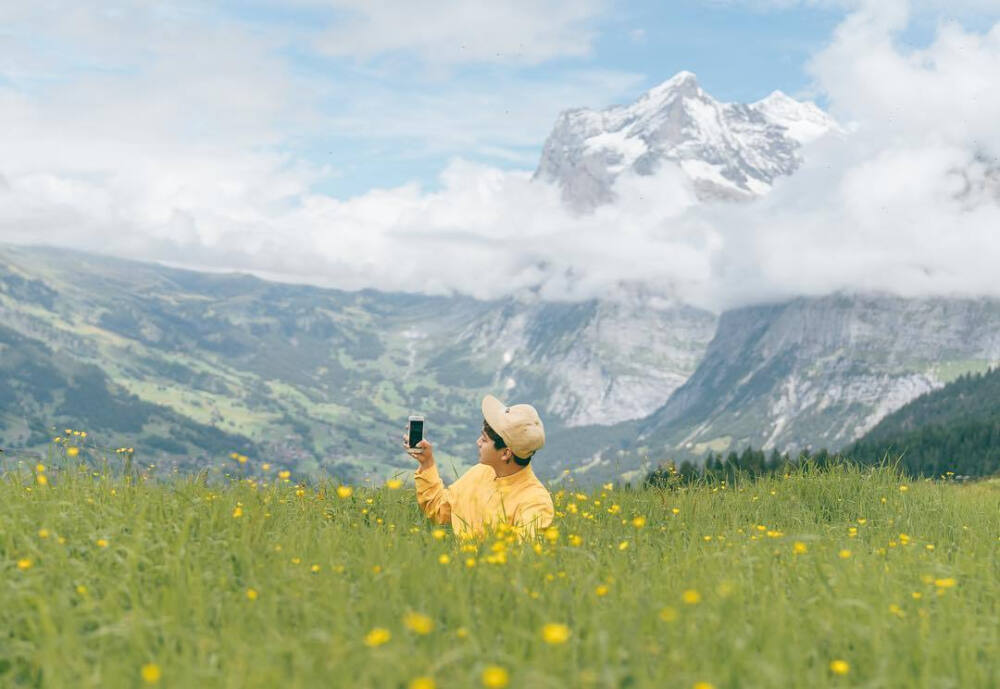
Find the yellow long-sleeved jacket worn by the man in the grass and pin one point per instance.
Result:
(479, 498)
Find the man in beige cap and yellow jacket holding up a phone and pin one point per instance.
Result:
(502, 488)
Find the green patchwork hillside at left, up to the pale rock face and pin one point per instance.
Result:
(185, 366)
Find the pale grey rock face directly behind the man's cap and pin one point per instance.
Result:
(595, 362)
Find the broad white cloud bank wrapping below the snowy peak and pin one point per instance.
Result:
(189, 169)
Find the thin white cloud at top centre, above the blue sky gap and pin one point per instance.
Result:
(520, 32)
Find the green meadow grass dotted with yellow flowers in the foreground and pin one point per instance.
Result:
(847, 577)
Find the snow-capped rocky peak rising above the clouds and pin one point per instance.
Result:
(729, 151)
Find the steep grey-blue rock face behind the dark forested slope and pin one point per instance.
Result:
(820, 372)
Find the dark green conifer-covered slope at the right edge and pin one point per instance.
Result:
(955, 428)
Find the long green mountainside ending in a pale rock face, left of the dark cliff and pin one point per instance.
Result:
(314, 379)
